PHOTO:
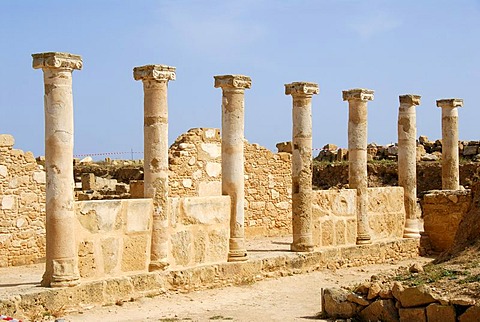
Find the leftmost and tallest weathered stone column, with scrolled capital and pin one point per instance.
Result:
(61, 267)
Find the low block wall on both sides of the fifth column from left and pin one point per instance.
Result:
(335, 221)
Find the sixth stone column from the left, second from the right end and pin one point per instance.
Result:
(407, 161)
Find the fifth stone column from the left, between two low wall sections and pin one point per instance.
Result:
(357, 155)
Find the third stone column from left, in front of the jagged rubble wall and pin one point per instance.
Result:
(233, 90)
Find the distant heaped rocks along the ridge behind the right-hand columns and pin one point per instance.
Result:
(426, 151)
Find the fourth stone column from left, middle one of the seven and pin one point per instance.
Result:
(302, 93)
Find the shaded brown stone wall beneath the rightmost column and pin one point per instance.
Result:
(442, 212)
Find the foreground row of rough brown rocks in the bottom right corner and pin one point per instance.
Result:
(374, 301)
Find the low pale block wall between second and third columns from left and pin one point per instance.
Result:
(199, 230)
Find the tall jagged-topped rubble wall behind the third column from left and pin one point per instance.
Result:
(195, 170)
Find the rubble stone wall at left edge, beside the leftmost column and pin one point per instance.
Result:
(22, 206)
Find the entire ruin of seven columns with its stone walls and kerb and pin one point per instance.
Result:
(187, 221)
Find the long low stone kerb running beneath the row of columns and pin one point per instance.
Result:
(115, 290)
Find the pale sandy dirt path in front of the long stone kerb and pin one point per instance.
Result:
(292, 298)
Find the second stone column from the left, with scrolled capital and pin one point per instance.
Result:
(155, 140)
